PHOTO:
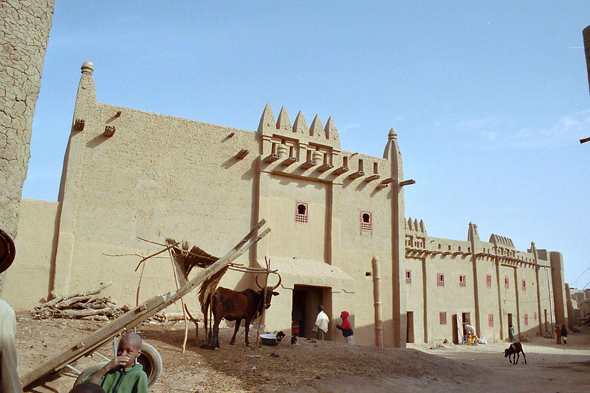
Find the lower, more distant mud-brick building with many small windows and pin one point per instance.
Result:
(491, 283)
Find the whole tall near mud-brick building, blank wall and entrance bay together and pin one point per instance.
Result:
(132, 175)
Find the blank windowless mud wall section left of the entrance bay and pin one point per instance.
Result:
(156, 177)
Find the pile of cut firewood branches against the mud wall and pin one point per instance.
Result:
(82, 305)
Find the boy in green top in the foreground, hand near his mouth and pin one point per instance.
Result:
(122, 375)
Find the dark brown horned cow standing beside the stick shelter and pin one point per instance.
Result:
(235, 306)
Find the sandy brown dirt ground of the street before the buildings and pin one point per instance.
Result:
(312, 366)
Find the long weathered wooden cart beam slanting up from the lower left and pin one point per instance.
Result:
(139, 314)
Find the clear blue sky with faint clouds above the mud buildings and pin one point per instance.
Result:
(489, 99)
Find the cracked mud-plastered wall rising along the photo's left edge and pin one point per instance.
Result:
(24, 33)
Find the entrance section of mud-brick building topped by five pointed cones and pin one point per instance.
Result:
(304, 164)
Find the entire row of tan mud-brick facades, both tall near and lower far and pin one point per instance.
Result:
(130, 174)
